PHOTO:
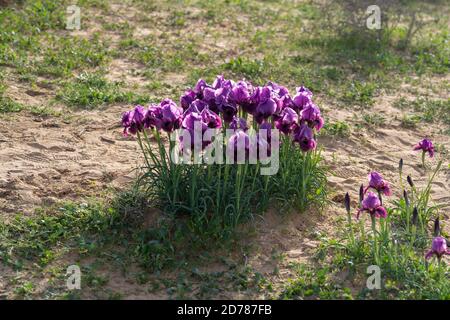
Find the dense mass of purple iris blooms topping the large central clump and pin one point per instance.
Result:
(228, 104)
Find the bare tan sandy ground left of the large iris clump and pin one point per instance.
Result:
(48, 160)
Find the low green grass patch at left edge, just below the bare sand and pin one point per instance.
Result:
(42, 236)
